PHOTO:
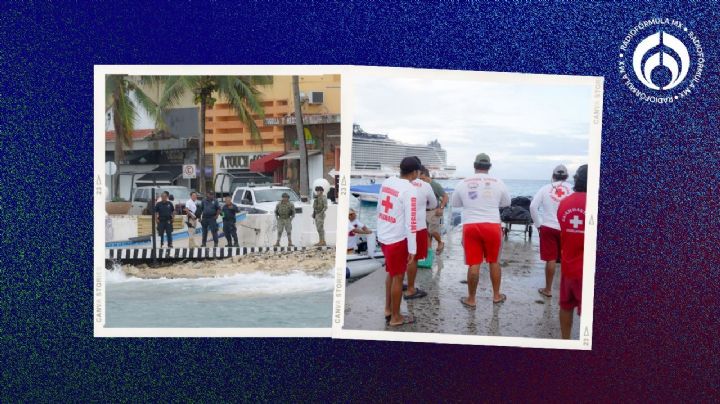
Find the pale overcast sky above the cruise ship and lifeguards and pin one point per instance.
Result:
(526, 129)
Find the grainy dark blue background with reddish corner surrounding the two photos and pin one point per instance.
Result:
(656, 290)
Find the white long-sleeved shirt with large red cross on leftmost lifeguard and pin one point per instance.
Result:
(397, 213)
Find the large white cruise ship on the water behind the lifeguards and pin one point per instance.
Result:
(378, 156)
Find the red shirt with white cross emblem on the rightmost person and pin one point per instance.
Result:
(571, 216)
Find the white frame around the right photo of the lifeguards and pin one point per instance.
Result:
(586, 320)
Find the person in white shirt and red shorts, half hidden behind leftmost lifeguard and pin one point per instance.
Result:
(426, 204)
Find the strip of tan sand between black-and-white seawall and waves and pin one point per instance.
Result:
(312, 261)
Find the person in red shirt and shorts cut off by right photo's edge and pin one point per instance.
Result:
(571, 216)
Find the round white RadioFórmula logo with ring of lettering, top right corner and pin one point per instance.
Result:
(661, 60)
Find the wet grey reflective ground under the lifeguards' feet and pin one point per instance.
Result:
(526, 313)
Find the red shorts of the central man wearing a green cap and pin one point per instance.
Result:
(481, 240)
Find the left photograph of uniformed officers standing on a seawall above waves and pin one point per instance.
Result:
(219, 200)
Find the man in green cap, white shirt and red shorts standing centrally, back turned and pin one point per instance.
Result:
(481, 196)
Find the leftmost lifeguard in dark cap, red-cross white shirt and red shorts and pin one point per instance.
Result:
(396, 228)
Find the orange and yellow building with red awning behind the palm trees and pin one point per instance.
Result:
(275, 158)
